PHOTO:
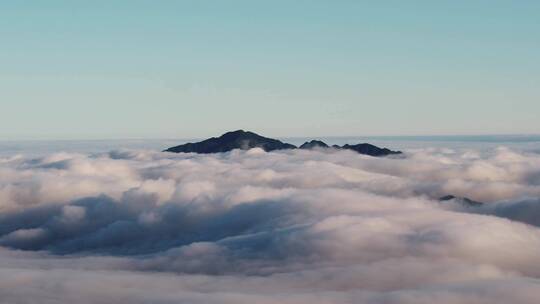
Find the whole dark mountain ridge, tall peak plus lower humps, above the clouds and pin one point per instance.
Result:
(245, 140)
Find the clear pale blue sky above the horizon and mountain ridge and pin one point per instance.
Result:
(154, 69)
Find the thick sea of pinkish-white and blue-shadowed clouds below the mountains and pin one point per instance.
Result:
(140, 226)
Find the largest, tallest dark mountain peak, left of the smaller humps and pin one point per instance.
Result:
(232, 140)
